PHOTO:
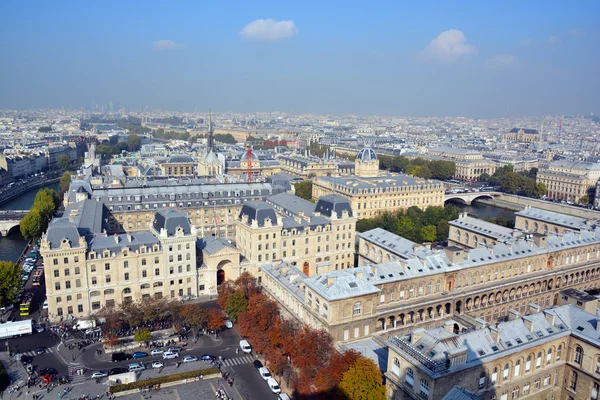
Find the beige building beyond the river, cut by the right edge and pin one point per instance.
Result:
(569, 180)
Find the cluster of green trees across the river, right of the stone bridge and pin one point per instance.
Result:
(523, 183)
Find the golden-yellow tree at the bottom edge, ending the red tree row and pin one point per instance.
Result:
(362, 382)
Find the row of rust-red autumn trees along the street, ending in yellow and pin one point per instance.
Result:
(303, 356)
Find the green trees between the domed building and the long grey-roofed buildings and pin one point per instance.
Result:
(414, 224)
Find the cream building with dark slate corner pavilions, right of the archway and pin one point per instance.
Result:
(316, 238)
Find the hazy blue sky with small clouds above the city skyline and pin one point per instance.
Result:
(398, 58)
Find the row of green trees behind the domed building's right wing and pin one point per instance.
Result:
(419, 167)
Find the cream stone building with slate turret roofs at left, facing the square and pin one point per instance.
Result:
(86, 269)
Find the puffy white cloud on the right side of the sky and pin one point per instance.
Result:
(449, 46)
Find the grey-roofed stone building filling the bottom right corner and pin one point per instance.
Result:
(549, 354)
